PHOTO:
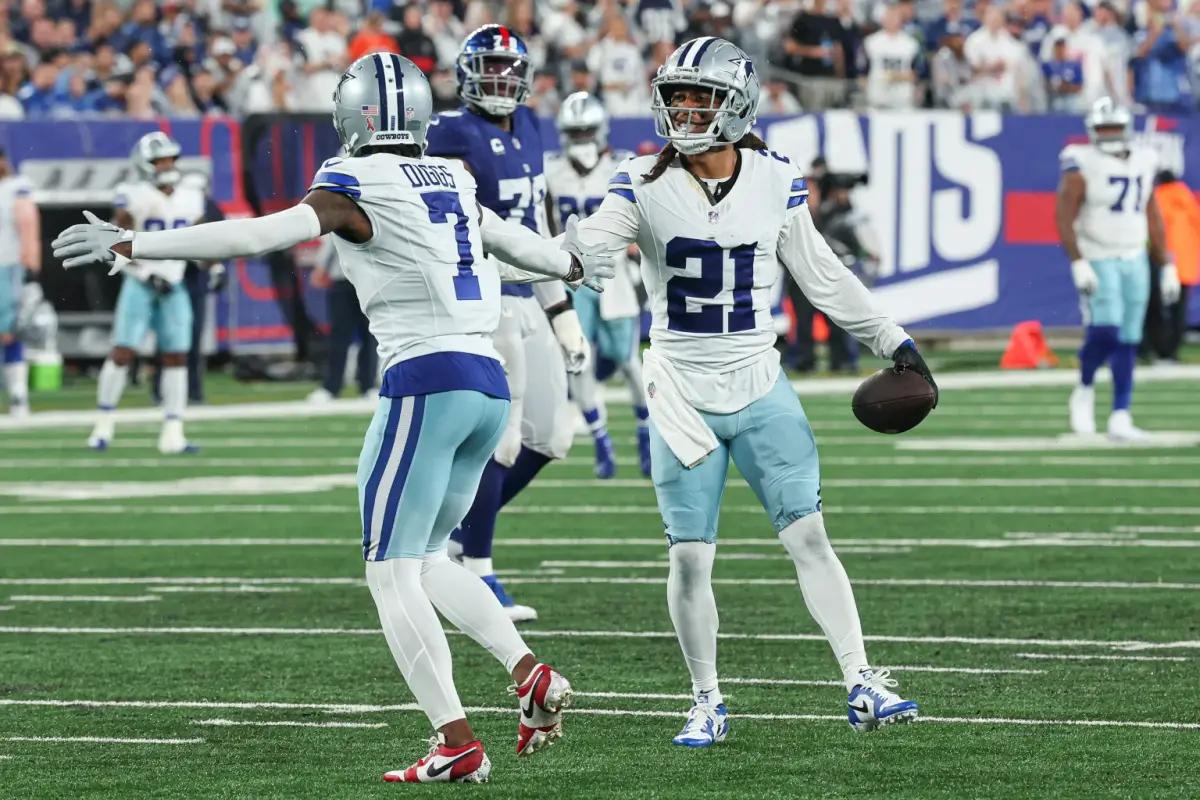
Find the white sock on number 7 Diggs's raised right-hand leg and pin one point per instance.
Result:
(470, 606)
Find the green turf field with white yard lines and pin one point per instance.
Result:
(199, 628)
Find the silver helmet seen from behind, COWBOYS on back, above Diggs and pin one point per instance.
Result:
(382, 100)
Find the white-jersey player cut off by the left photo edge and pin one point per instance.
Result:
(21, 251)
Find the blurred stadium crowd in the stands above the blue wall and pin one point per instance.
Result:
(188, 58)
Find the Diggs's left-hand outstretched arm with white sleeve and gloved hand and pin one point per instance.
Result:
(103, 243)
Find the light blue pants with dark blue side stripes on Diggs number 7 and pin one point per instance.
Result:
(421, 466)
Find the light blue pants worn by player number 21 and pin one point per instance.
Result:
(773, 447)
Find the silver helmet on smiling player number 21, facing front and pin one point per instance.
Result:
(721, 68)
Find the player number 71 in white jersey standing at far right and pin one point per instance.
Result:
(1106, 215)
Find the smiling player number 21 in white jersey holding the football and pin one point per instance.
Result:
(717, 218)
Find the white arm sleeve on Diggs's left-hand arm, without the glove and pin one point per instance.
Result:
(217, 242)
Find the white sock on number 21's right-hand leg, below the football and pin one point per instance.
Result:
(827, 593)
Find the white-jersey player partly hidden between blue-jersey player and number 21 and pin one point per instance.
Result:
(578, 179)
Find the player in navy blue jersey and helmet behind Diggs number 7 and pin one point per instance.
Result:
(500, 141)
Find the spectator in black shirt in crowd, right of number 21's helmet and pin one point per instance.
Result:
(814, 51)
